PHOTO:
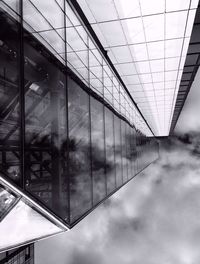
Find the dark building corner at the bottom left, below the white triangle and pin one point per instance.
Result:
(22, 255)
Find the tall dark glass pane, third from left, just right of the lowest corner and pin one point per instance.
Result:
(79, 151)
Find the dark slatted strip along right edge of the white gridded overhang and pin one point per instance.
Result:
(189, 71)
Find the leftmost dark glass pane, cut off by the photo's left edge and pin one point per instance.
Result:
(9, 96)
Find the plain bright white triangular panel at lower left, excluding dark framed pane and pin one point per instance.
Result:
(24, 224)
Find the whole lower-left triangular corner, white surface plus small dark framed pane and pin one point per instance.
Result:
(22, 221)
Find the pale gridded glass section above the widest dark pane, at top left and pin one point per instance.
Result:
(46, 21)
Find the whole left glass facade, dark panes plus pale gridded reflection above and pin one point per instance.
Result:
(68, 127)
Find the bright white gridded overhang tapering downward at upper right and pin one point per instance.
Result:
(147, 42)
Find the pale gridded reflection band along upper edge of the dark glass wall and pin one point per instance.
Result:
(80, 53)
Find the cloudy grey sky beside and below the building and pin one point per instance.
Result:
(153, 219)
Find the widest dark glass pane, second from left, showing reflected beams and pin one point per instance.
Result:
(45, 130)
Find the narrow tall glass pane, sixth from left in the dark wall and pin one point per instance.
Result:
(118, 151)
